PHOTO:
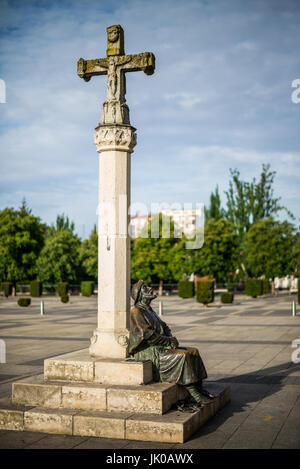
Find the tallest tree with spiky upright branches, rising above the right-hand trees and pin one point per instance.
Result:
(249, 202)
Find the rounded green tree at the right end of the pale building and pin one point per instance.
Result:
(217, 257)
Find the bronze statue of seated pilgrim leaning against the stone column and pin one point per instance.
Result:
(151, 339)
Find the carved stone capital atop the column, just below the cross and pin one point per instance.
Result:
(115, 137)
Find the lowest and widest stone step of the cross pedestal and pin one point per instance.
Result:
(172, 427)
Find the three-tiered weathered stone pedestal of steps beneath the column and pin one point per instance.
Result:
(107, 398)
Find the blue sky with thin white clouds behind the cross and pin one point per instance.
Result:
(220, 98)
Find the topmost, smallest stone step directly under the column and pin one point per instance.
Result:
(79, 366)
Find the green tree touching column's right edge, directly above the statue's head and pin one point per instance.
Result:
(150, 257)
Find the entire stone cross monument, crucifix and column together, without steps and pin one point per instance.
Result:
(115, 140)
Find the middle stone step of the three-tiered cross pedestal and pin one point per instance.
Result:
(155, 398)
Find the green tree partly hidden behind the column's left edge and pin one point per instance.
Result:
(88, 255)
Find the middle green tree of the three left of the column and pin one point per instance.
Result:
(59, 258)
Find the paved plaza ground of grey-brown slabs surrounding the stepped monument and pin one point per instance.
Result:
(247, 344)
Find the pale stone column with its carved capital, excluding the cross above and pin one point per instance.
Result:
(115, 143)
